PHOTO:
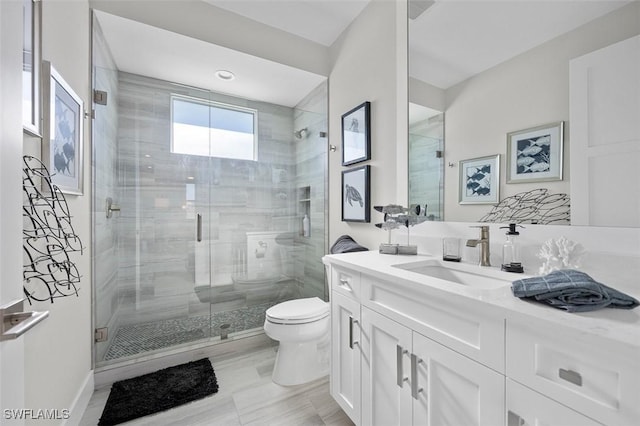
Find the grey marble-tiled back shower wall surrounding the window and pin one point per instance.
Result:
(156, 235)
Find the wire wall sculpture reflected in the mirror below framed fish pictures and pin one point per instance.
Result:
(535, 206)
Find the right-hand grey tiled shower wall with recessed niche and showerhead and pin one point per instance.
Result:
(311, 171)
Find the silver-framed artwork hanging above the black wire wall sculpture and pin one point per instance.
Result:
(63, 114)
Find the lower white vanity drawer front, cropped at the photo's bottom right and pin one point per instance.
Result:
(526, 407)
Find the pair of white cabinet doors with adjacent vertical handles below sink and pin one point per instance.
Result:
(410, 379)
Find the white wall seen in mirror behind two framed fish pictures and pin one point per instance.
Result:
(529, 90)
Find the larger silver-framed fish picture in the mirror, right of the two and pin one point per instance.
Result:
(535, 154)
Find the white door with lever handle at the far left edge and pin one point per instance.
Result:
(11, 351)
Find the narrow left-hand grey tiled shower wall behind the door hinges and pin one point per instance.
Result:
(104, 129)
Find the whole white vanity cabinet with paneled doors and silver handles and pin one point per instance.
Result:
(408, 351)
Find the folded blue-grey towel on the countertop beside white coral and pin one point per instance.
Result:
(573, 291)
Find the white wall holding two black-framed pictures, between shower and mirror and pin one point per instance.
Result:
(369, 64)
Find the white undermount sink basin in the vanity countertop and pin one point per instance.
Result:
(462, 273)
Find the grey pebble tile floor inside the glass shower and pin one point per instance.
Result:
(135, 339)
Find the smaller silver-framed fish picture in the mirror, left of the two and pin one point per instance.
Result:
(480, 180)
